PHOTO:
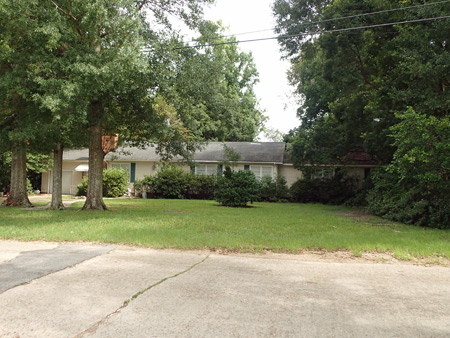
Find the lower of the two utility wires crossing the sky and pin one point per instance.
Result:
(317, 32)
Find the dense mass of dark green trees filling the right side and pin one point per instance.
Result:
(383, 90)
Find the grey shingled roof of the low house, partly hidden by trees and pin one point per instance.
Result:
(251, 152)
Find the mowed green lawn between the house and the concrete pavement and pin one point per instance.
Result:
(190, 224)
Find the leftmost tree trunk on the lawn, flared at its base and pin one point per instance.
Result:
(18, 192)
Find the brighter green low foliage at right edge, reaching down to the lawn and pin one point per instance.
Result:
(415, 187)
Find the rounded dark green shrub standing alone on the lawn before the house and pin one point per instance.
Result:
(236, 188)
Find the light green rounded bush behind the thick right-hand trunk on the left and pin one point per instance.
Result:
(115, 183)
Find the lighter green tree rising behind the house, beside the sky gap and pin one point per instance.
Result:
(213, 86)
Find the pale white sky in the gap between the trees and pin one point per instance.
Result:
(273, 90)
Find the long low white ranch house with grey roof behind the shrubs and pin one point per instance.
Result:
(262, 158)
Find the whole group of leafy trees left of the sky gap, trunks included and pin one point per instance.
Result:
(75, 71)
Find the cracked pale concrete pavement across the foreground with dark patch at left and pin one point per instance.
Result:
(79, 290)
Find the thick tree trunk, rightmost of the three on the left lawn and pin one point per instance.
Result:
(94, 198)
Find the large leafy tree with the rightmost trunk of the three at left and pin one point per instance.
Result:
(96, 62)
